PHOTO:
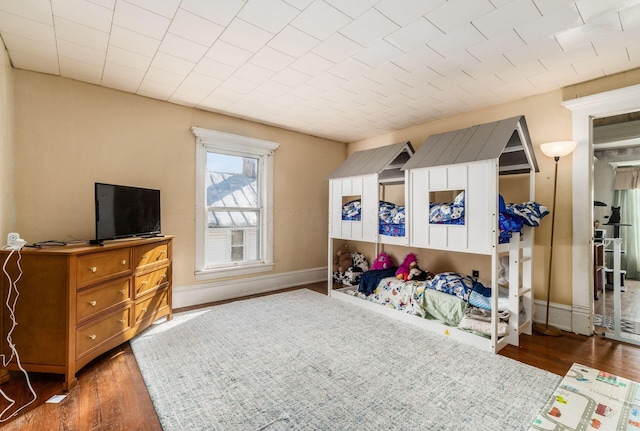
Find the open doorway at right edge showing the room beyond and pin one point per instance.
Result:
(616, 189)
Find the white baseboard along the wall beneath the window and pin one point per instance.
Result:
(198, 294)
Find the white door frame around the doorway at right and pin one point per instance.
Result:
(583, 110)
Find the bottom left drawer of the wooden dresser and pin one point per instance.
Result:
(92, 336)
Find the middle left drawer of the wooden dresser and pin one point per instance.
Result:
(91, 301)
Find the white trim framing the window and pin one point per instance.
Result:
(242, 146)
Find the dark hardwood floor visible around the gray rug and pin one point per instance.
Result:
(111, 394)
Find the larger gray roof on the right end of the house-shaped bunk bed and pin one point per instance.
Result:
(507, 140)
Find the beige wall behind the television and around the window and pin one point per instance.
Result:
(69, 135)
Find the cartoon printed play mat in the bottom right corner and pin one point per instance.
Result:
(589, 399)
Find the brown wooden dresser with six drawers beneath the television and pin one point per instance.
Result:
(77, 302)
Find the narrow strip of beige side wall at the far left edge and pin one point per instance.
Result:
(6, 146)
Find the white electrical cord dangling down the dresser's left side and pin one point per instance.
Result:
(11, 307)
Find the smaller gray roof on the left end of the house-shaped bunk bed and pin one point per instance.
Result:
(386, 161)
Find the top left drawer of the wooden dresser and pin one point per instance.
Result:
(101, 266)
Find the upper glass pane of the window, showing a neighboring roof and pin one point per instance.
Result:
(232, 181)
